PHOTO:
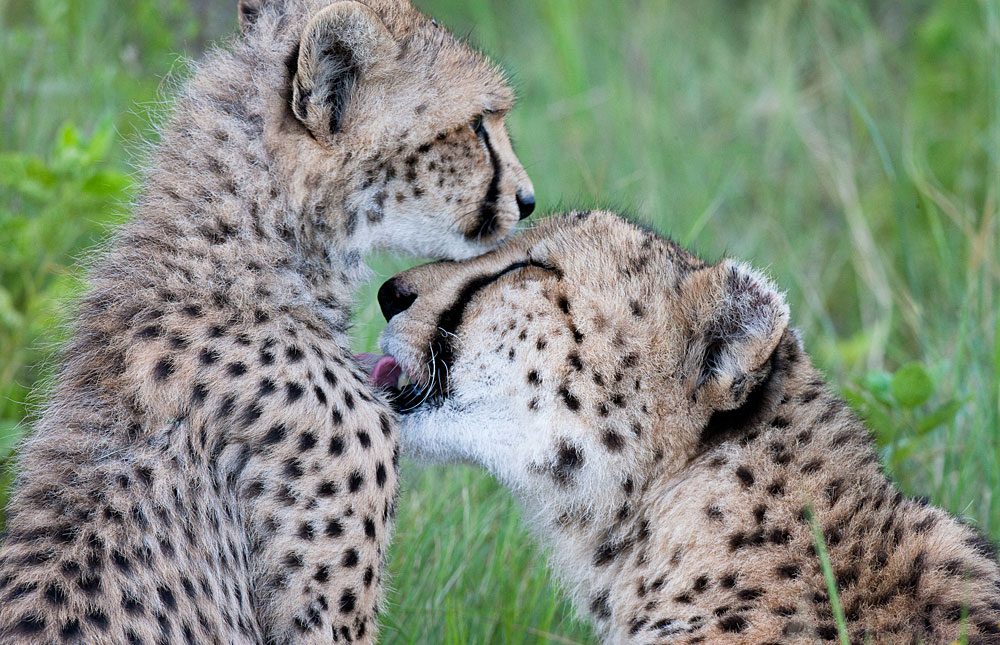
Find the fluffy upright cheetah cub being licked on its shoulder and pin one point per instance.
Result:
(214, 467)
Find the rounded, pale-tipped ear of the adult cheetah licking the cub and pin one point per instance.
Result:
(738, 318)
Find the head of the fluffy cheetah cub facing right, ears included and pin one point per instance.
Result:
(388, 126)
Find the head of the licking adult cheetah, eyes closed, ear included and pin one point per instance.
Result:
(581, 355)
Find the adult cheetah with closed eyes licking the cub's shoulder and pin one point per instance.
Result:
(669, 439)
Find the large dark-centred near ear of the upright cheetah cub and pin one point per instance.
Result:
(342, 45)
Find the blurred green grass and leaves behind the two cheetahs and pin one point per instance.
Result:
(851, 148)
